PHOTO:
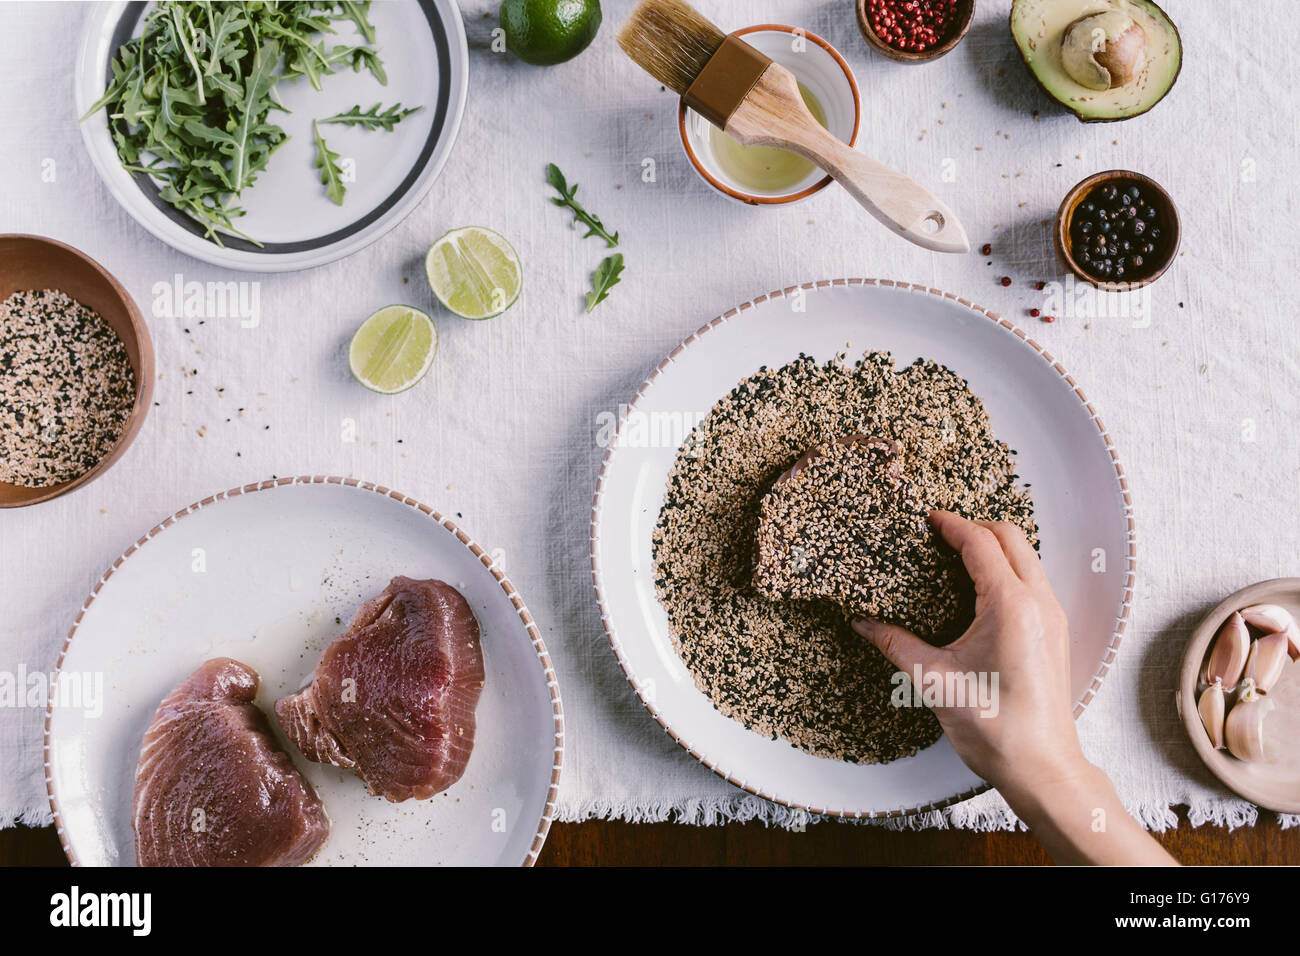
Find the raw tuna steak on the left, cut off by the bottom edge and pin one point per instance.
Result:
(213, 789)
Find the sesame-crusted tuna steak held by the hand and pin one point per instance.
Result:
(846, 526)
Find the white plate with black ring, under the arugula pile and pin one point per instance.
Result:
(426, 55)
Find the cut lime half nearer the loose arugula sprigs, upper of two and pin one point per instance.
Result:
(474, 272)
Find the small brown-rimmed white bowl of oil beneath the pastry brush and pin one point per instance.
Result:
(764, 175)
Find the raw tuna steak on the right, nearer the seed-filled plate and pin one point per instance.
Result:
(395, 698)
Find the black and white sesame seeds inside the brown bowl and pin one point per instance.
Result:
(67, 388)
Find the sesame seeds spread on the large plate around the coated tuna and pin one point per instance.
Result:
(794, 669)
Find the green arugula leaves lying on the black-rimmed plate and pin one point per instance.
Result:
(190, 98)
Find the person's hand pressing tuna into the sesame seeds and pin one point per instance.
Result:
(1025, 743)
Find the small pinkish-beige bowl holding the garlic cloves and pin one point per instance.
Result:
(1273, 784)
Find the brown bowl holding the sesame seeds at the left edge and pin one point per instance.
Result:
(34, 262)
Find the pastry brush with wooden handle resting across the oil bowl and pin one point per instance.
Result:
(757, 102)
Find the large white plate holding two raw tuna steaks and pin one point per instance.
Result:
(270, 574)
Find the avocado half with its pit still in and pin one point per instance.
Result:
(1041, 29)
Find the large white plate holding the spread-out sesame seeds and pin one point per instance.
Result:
(1081, 499)
